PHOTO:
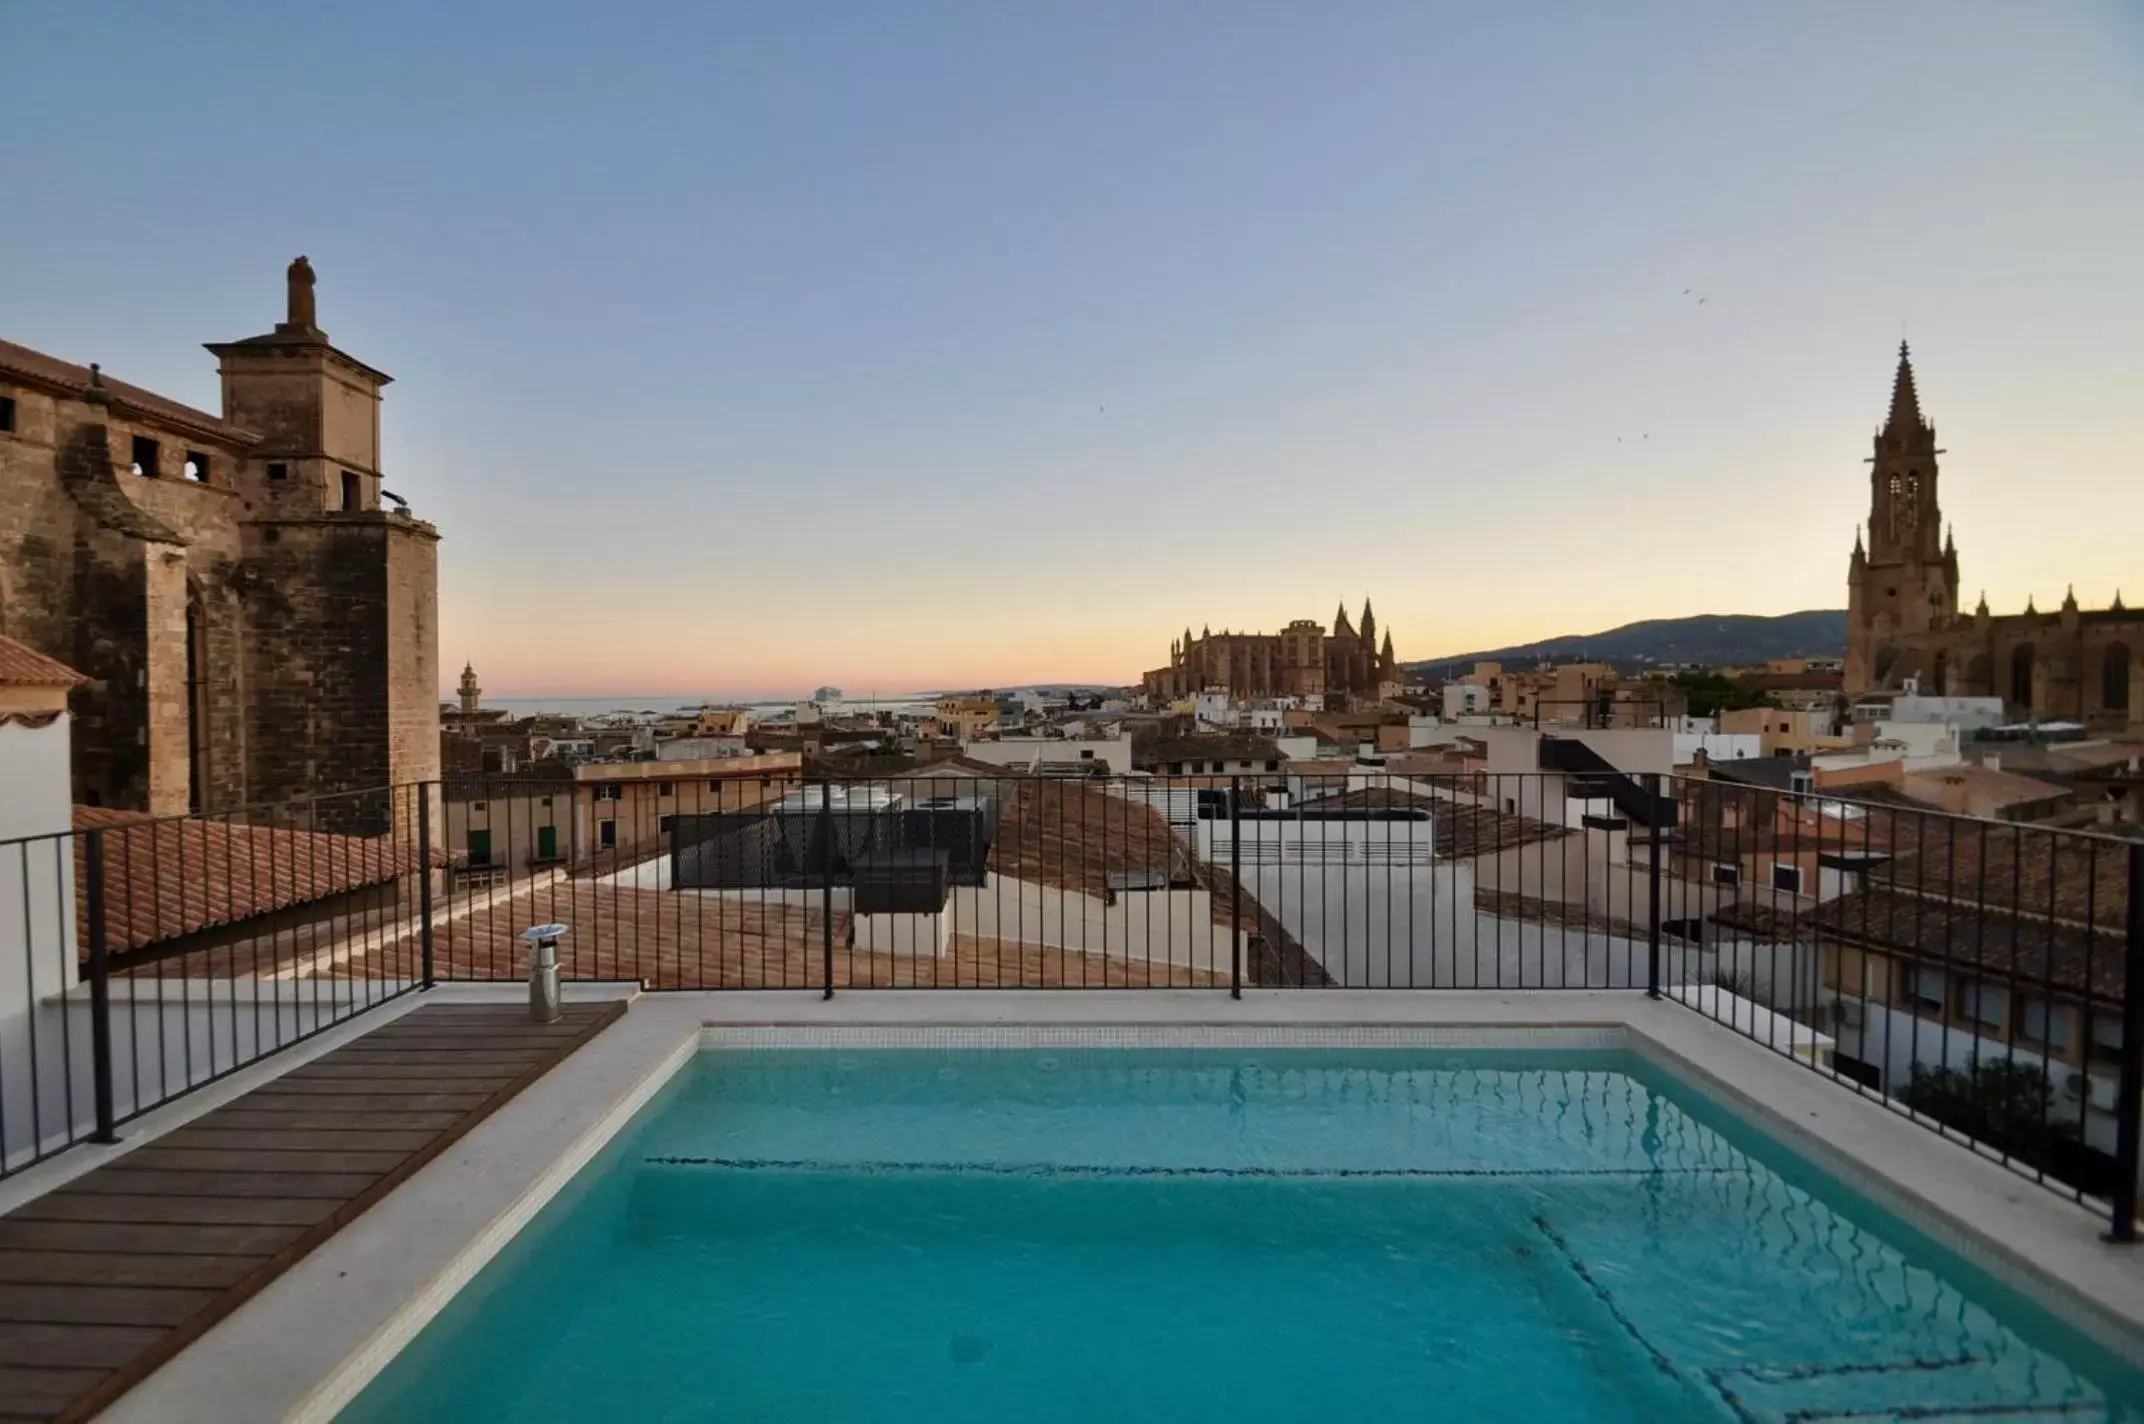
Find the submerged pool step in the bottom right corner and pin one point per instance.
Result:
(1965, 1391)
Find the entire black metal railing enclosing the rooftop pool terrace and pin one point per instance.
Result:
(1982, 977)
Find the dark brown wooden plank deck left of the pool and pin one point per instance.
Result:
(115, 1273)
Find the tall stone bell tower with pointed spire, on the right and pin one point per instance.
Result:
(1905, 580)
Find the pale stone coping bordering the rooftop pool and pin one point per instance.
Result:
(314, 1339)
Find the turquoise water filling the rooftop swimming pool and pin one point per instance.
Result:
(1298, 1234)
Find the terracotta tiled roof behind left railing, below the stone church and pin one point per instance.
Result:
(168, 878)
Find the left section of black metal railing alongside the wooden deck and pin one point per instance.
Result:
(143, 958)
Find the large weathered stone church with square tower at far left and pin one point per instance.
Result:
(252, 623)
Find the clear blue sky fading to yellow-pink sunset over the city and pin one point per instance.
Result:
(745, 348)
